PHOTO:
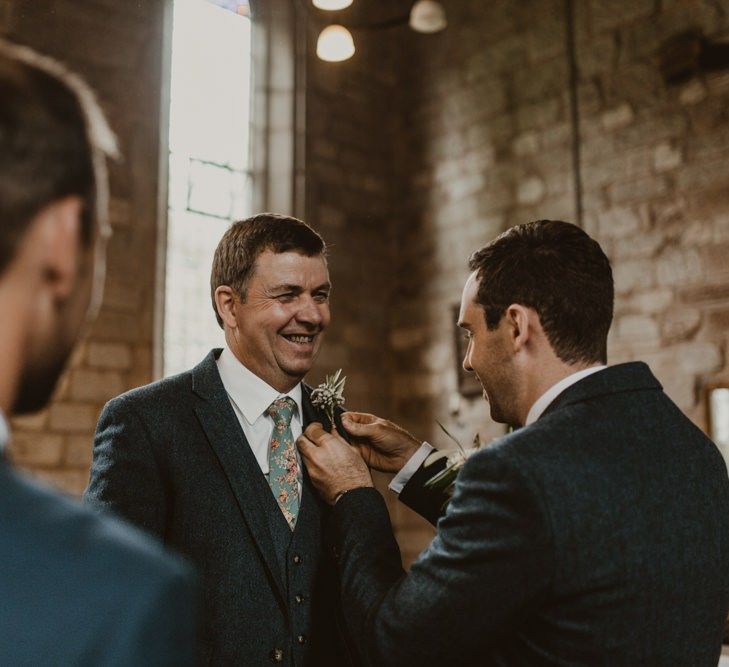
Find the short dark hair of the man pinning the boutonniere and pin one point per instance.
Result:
(558, 270)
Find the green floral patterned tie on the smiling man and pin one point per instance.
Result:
(283, 467)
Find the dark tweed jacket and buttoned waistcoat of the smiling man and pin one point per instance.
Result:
(172, 458)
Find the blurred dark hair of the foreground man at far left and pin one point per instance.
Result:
(53, 143)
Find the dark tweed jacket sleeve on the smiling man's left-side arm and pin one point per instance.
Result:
(125, 477)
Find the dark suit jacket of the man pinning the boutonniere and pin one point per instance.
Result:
(599, 535)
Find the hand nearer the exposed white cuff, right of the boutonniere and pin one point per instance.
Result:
(383, 445)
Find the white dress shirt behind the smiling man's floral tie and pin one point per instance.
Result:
(250, 397)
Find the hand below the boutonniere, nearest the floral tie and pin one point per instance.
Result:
(334, 466)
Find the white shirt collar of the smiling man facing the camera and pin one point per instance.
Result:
(251, 394)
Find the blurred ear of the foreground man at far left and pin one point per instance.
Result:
(56, 244)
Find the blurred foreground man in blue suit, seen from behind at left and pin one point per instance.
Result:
(75, 589)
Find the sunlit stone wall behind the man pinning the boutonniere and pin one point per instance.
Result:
(491, 109)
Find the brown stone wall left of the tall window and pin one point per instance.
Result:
(118, 48)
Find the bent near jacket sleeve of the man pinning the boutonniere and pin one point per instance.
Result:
(491, 557)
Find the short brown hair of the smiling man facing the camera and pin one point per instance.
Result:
(236, 254)
